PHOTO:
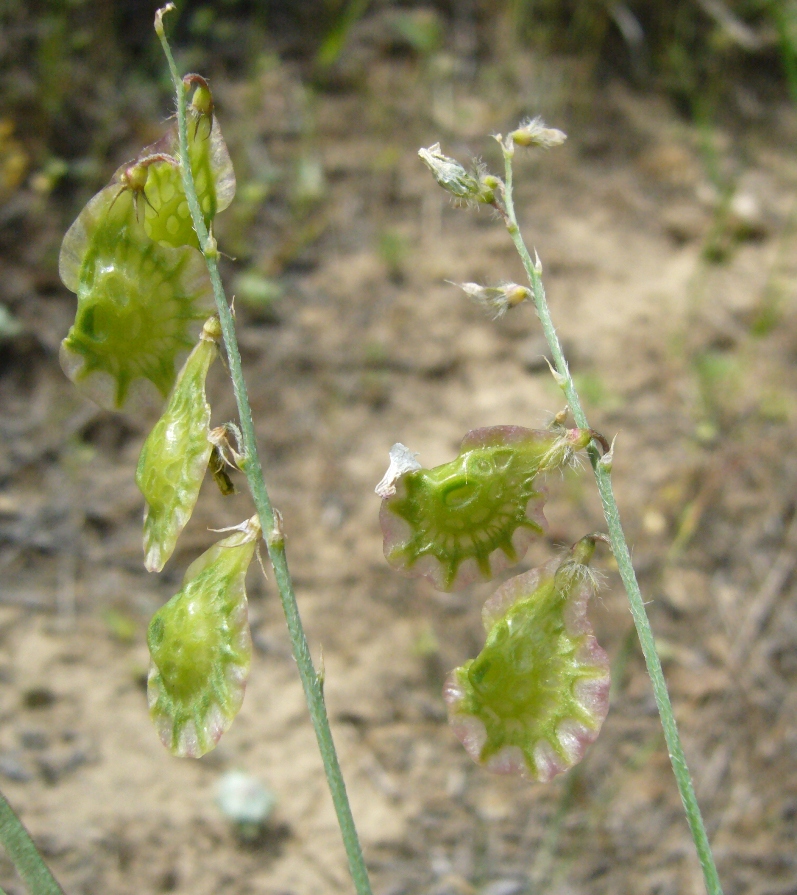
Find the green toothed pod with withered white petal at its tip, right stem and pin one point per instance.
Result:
(470, 519)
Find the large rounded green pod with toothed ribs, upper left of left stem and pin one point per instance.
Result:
(139, 304)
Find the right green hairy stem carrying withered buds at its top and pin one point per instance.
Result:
(620, 549)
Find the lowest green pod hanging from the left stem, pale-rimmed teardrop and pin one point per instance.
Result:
(201, 648)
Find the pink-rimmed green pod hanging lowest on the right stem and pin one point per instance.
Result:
(536, 696)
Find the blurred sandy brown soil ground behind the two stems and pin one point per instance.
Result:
(689, 360)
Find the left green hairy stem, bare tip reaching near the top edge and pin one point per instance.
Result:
(270, 521)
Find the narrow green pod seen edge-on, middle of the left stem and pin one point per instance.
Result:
(175, 455)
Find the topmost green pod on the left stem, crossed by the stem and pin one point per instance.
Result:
(166, 216)
